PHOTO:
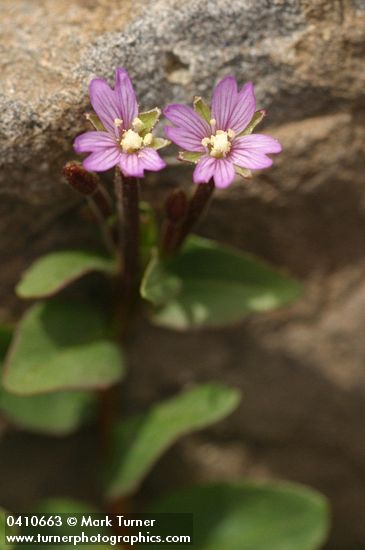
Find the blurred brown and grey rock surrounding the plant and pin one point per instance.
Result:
(302, 369)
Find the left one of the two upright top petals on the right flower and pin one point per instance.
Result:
(223, 101)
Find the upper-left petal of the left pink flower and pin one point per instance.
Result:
(105, 103)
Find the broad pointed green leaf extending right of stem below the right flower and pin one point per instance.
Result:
(209, 284)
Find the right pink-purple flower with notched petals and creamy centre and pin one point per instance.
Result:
(220, 141)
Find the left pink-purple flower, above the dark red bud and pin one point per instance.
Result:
(122, 137)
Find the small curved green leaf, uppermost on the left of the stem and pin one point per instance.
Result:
(53, 272)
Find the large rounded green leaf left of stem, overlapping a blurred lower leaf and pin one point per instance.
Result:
(61, 346)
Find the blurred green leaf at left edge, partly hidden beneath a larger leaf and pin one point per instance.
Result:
(57, 413)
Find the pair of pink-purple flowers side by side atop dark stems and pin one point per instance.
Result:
(218, 140)
